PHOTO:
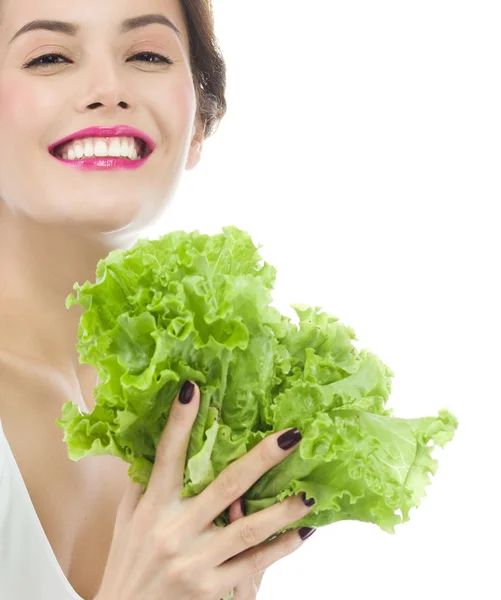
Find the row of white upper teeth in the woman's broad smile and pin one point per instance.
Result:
(120, 147)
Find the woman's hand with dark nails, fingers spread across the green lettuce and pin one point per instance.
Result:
(166, 547)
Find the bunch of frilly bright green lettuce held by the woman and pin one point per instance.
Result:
(193, 306)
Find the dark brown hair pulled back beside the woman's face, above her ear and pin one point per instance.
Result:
(207, 63)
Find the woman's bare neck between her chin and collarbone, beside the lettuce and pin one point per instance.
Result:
(39, 265)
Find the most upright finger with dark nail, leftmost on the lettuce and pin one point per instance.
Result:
(166, 481)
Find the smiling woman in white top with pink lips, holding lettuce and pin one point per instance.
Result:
(143, 80)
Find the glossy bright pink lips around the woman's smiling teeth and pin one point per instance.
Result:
(106, 162)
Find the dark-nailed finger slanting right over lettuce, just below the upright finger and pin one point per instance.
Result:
(238, 477)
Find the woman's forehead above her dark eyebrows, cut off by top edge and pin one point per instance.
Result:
(92, 16)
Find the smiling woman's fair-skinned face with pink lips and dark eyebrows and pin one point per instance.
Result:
(100, 82)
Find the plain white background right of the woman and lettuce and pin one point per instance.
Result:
(362, 147)
